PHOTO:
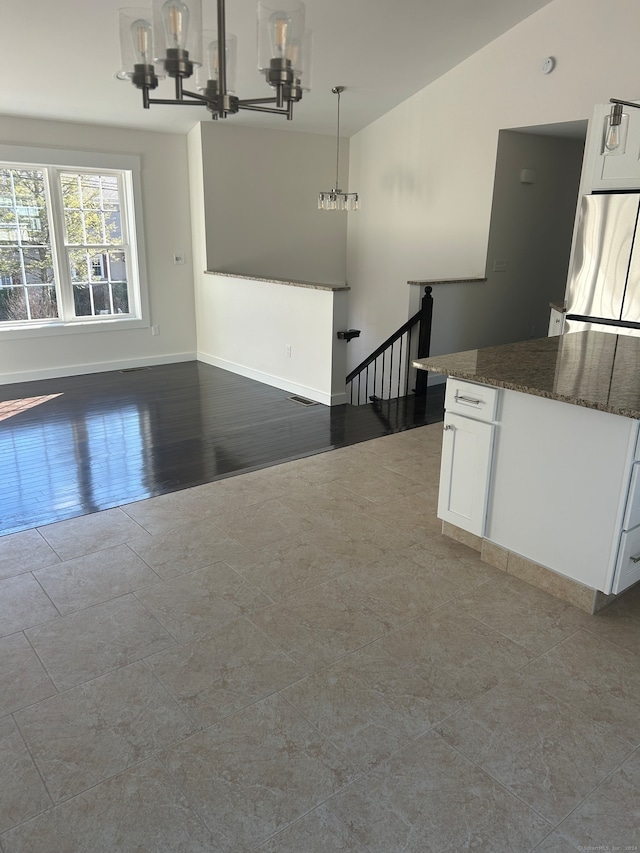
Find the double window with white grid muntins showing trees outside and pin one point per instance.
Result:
(69, 247)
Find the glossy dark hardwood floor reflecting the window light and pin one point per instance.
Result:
(80, 444)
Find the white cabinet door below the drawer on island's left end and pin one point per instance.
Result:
(464, 473)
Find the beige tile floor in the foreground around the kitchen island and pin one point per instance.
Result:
(297, 660)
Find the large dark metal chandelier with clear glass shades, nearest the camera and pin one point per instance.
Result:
(167, 40)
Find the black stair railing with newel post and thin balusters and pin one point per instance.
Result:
(386, 373)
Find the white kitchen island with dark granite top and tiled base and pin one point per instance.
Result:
(541, 464)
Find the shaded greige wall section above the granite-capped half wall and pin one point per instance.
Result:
(261, 201)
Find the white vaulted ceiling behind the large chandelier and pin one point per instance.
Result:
(59, 58)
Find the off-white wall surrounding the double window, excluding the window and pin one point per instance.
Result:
(165, 195)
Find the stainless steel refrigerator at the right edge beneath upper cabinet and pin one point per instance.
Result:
(603, 288)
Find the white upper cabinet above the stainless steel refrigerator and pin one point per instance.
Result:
(618, 169)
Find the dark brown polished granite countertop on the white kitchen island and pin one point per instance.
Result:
(593, 369)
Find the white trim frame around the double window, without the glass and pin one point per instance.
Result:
(131, 209)
